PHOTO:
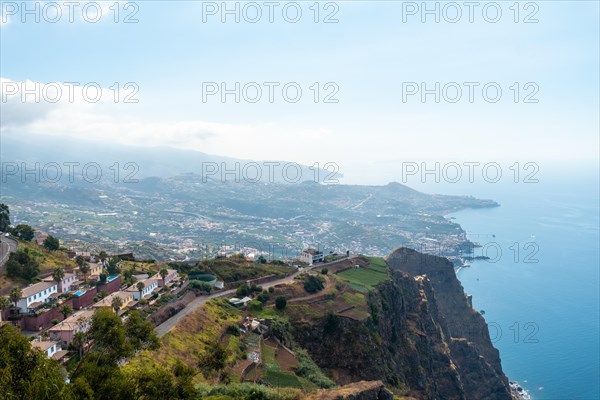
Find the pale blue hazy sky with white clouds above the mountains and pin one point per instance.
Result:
(361, 68)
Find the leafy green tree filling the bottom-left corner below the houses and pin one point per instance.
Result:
(27, 373)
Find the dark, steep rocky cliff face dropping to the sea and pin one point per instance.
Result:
(423, 338)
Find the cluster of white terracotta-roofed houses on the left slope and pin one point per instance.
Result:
(82, 298)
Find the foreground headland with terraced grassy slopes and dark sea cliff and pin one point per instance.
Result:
(397, 321)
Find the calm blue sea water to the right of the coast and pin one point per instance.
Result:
(542, 302)
